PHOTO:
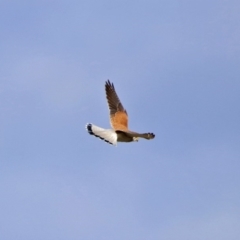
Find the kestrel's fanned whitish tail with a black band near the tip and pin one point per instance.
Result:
(108, 135)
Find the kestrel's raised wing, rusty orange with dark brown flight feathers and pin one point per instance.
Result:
(118, 115)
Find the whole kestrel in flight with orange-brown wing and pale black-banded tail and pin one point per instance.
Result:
(118, 121)
